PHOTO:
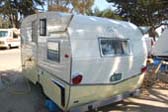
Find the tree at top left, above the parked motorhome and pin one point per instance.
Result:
(15, 10)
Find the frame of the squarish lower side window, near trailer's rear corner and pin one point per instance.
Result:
(59, 52)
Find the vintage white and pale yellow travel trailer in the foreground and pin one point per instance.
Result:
(82, 62)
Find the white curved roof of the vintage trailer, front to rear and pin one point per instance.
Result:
(79, 23)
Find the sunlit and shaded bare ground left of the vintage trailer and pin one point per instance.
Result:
(16, 93)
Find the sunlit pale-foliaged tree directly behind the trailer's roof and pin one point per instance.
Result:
(76, 6)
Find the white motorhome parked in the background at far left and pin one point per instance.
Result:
(9, 38)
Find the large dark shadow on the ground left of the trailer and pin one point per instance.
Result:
(17, 94)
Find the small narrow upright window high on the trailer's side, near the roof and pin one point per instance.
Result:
(43, 27)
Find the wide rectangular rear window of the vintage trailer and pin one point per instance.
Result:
(114, 47)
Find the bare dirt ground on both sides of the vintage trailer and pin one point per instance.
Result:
(17, 95)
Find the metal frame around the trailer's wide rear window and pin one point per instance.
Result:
(114, 55)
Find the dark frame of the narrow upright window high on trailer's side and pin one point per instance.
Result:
(44, 27)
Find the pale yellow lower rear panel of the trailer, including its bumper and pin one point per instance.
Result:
(93, 96)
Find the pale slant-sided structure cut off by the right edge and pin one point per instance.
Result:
(160, 48)
